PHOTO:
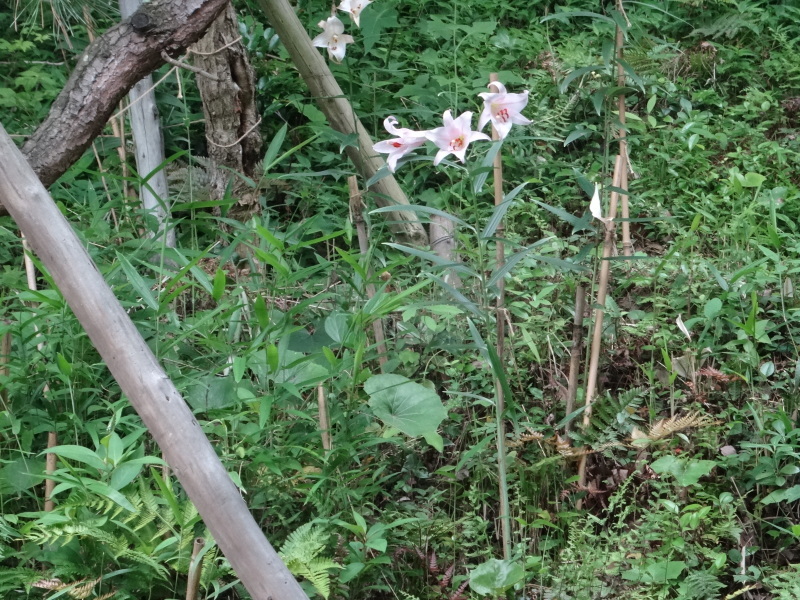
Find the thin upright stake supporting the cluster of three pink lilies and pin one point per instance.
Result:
(505, 513)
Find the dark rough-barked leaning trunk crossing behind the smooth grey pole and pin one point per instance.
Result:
(109, 67)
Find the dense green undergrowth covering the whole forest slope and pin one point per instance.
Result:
(692, 487)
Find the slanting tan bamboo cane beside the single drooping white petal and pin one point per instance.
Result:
(599, 310)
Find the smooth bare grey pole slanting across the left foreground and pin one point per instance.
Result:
(143, 381)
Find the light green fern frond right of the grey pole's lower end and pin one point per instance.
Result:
(301, 552)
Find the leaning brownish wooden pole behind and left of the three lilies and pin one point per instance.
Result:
(332, 101)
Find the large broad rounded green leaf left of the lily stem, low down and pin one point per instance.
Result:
(408, 406)
